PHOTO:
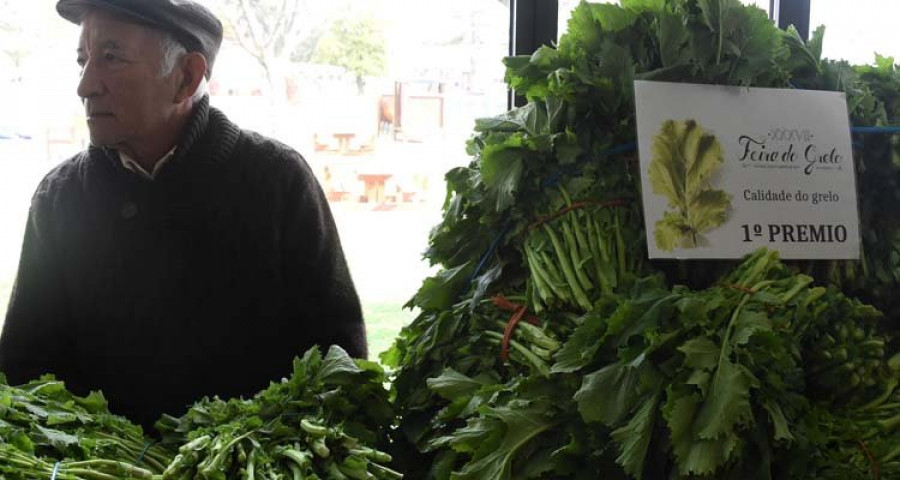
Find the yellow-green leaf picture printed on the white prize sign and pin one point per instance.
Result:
(684, 159)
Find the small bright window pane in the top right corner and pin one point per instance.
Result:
(856, 31)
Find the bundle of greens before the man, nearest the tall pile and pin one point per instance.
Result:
(326, 421)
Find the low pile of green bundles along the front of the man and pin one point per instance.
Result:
(329, 419)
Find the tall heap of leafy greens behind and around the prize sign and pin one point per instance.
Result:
(677, 369)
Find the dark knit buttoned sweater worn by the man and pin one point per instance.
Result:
(207, 280)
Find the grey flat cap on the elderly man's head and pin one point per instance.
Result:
(192, 24)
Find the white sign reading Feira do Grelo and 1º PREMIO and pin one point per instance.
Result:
(728, 170)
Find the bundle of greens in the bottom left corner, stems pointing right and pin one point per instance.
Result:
(42, 424)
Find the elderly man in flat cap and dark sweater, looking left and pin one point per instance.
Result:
(179, 256)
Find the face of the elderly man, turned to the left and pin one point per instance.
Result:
(126, 99)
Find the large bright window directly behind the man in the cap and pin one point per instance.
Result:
(379, 130)
